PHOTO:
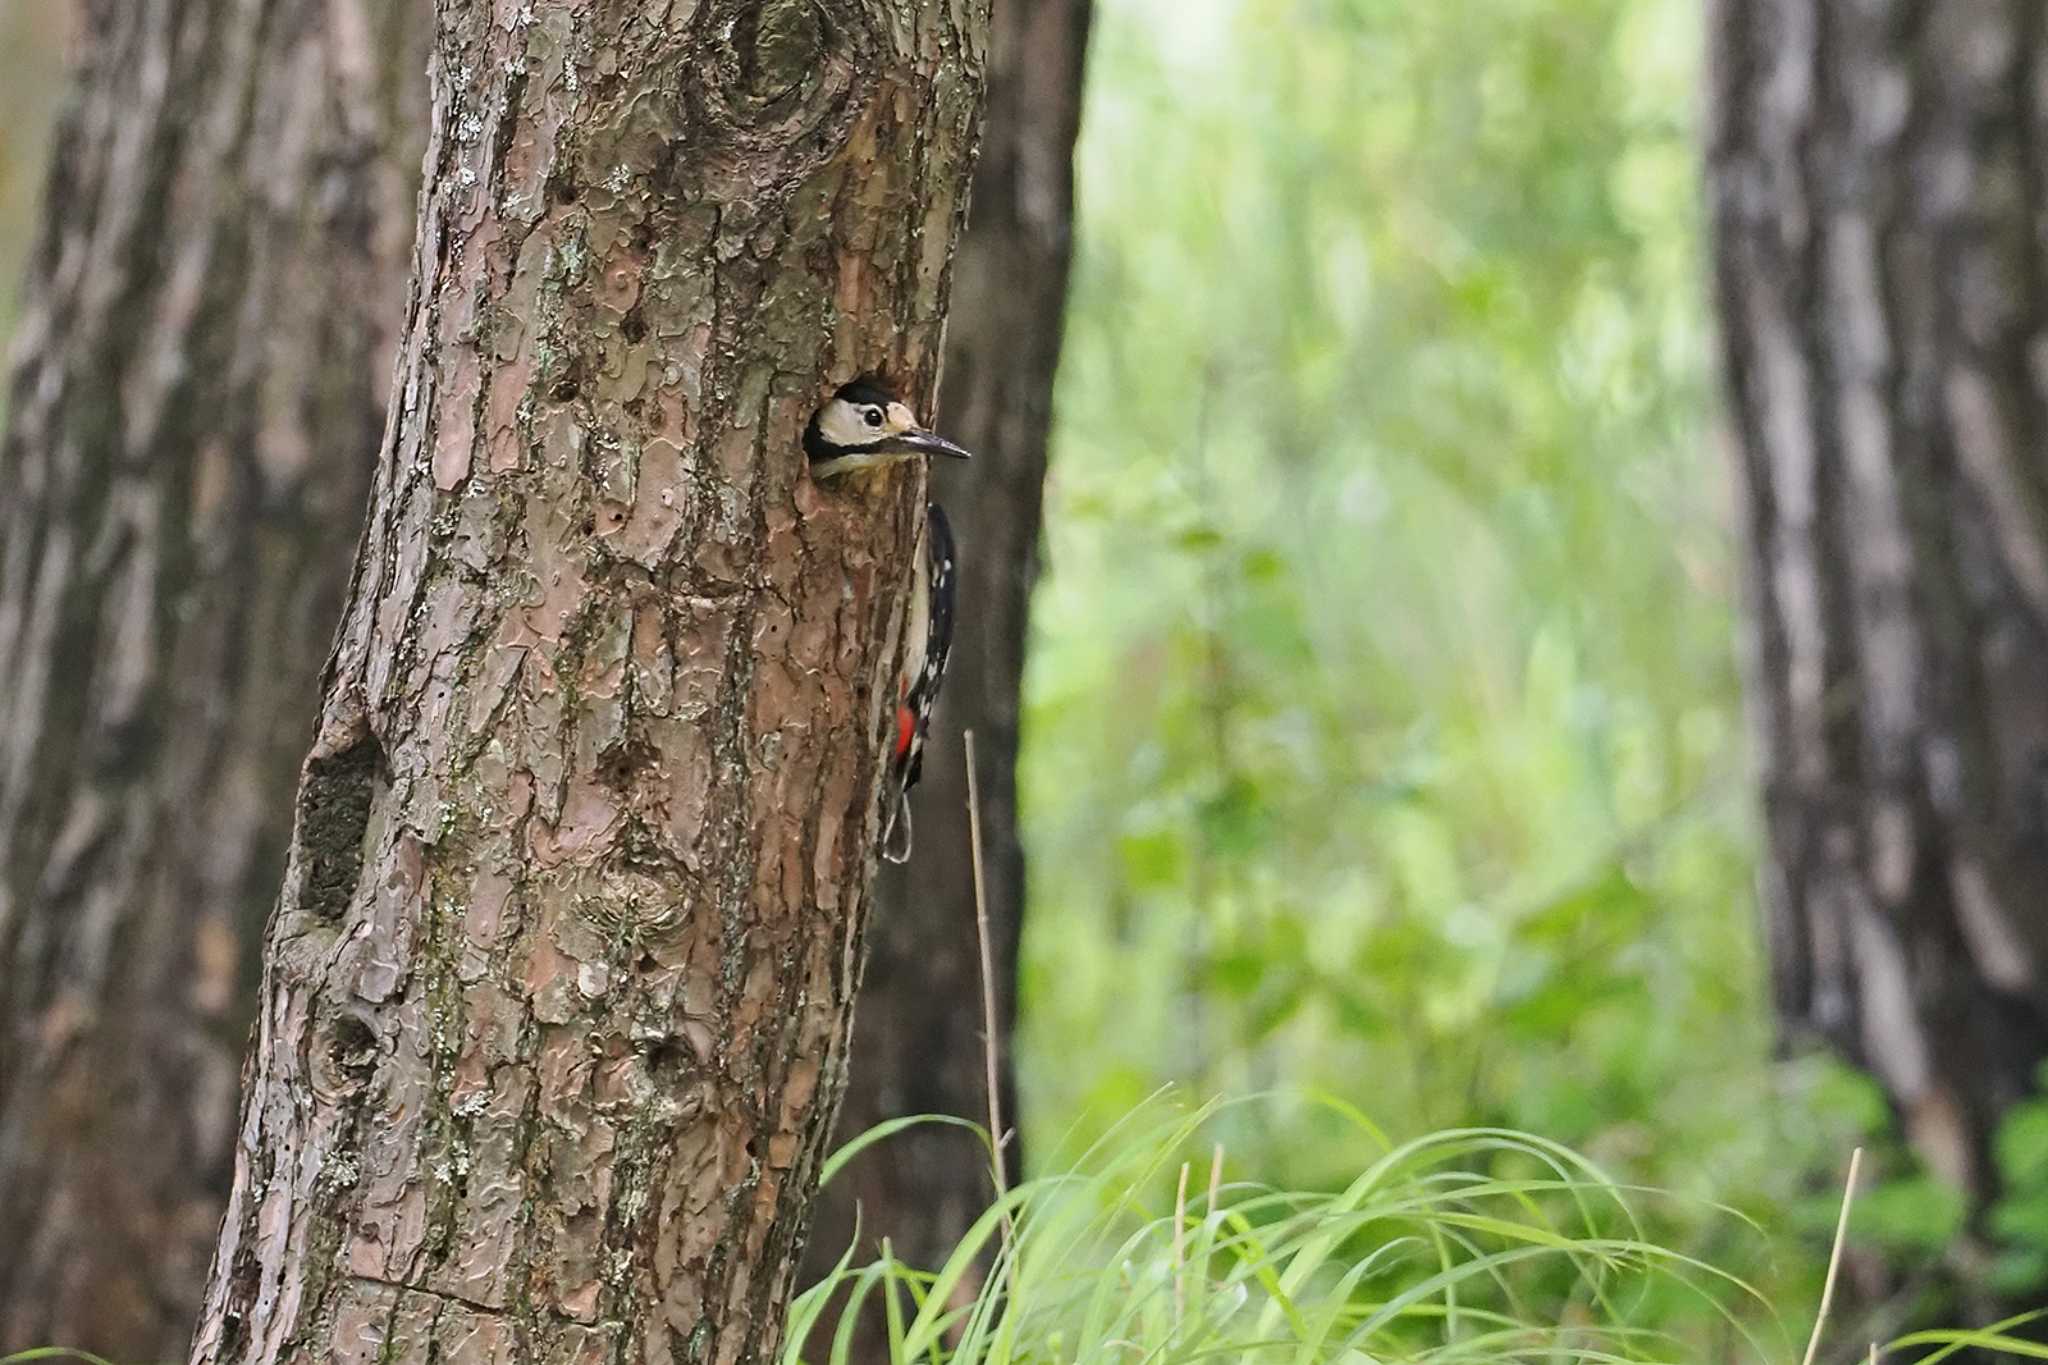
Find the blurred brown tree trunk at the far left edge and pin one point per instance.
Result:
(200, 382)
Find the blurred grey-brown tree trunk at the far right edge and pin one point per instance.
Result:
(1883, 283)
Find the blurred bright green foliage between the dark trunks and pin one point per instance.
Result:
(1383, 730)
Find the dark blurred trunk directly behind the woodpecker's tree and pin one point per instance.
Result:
(919, 1034)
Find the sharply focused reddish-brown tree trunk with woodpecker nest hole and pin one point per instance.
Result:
(560, 981)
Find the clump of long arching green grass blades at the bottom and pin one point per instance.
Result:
(1467, 1245)
